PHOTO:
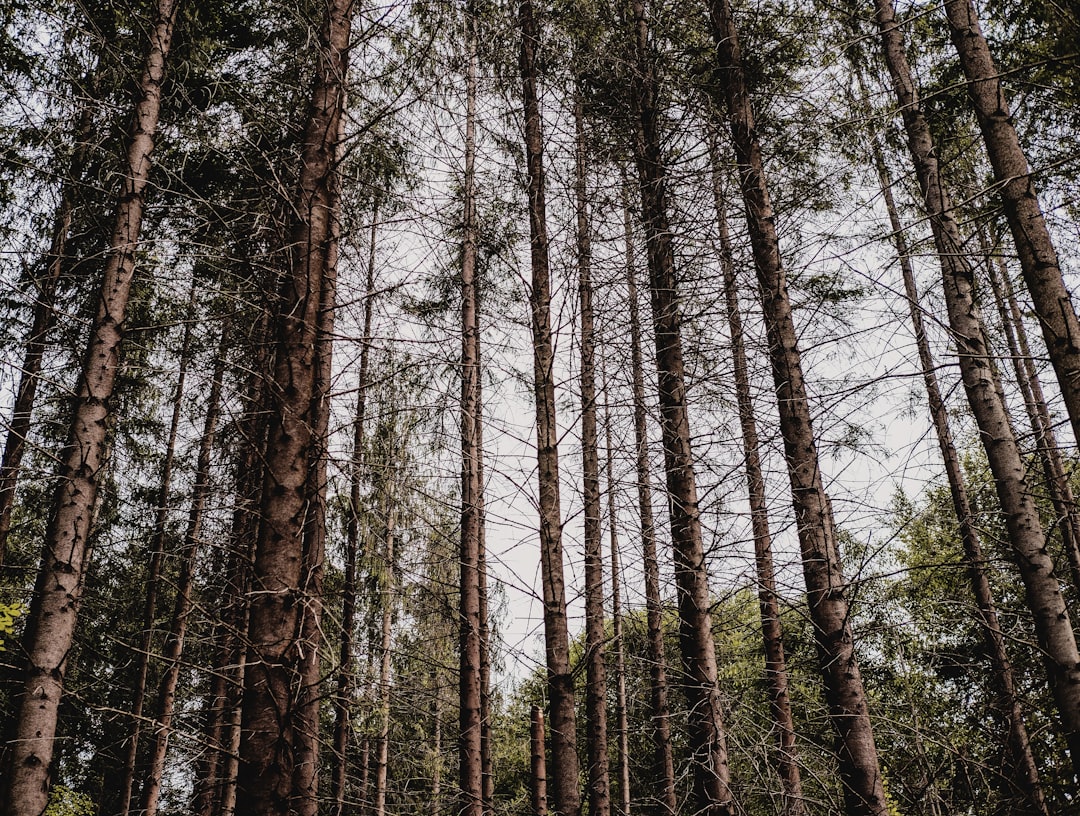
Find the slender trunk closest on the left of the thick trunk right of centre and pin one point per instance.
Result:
(664, 765)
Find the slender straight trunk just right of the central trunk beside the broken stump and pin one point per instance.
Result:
(600, 795)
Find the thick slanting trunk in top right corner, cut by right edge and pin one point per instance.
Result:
(1020, 199)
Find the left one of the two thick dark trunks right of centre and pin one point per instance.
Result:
(712, 793)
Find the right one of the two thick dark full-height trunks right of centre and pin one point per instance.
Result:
(827, 588)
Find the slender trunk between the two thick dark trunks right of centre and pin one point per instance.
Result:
(773, 634)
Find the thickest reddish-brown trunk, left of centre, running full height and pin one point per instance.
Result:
(277, 743)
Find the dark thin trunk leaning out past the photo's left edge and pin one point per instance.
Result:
(43, 323)
